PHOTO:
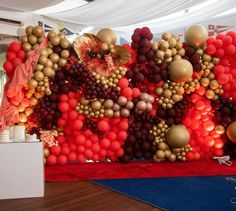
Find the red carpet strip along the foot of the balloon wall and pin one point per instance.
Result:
(139, 169)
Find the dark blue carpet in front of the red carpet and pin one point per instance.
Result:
(216, 193)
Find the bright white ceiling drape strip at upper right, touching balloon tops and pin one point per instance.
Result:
(207, 12)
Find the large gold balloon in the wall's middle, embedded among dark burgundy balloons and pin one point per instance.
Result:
(180, 70)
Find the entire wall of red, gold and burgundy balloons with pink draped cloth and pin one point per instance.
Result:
(95, 100)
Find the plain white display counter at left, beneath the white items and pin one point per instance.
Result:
(21, 170)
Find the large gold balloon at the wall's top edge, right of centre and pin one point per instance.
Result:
(196, 35)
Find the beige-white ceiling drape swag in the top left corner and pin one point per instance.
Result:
(27, 5)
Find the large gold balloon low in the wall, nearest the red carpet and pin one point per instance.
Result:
(177, 136)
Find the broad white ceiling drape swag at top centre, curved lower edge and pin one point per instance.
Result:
(115, 13)
